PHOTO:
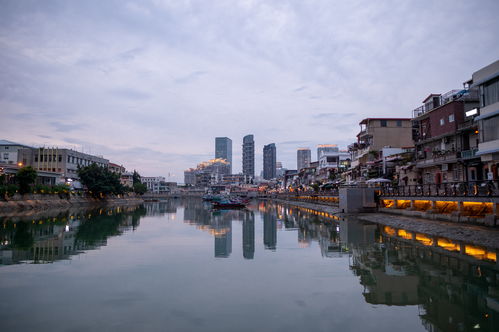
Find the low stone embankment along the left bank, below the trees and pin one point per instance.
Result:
(54, 201)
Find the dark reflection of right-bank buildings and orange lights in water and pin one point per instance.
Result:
(455, 285)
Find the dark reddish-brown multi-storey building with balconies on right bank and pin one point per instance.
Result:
(446, 140)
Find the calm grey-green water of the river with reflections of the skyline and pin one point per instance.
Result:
(178, 266)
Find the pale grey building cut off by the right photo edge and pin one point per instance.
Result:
(487, 81)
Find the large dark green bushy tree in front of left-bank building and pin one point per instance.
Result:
(99, 180)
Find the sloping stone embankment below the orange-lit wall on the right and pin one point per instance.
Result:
(472, 234)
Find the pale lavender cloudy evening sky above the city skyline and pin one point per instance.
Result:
(150, 84)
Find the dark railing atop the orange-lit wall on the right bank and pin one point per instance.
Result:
(456, 189)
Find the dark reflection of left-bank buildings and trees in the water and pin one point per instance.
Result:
(45, 237)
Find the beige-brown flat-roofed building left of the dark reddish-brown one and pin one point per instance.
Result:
(376, 134)
